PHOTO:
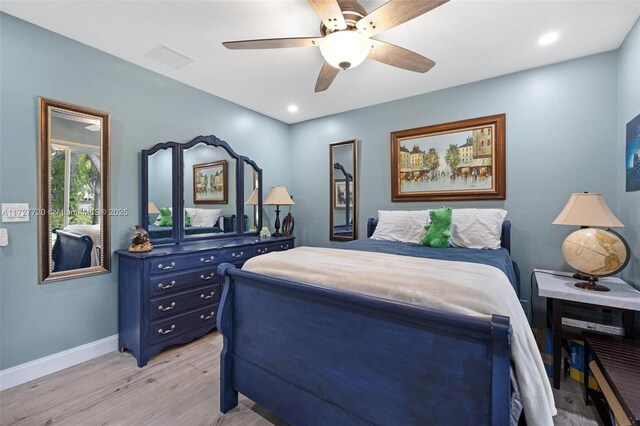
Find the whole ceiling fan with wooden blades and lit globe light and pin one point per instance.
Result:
(346, 41)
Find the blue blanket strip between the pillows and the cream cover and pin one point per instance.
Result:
(497, 258)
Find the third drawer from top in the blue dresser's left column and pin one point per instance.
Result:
(165, 307)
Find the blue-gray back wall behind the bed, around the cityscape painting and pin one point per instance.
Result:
(561, 130)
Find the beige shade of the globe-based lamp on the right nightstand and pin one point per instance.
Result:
(587, 209)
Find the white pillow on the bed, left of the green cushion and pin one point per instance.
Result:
(401, 225)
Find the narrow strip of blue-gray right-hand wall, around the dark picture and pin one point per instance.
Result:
(628, 108)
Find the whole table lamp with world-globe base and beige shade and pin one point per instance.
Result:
(593, 252)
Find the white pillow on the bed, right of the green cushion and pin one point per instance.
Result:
(477, 228)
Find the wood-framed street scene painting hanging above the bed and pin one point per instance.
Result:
(462, 160)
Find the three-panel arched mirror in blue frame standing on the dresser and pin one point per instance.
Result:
(201, 186)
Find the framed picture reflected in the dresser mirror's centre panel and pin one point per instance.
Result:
(210, 183)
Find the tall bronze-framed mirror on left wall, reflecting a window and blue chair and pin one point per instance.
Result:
(73, 193)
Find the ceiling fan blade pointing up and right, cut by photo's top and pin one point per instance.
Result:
(395, 12)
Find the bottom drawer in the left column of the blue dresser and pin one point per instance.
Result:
(165, 330)
